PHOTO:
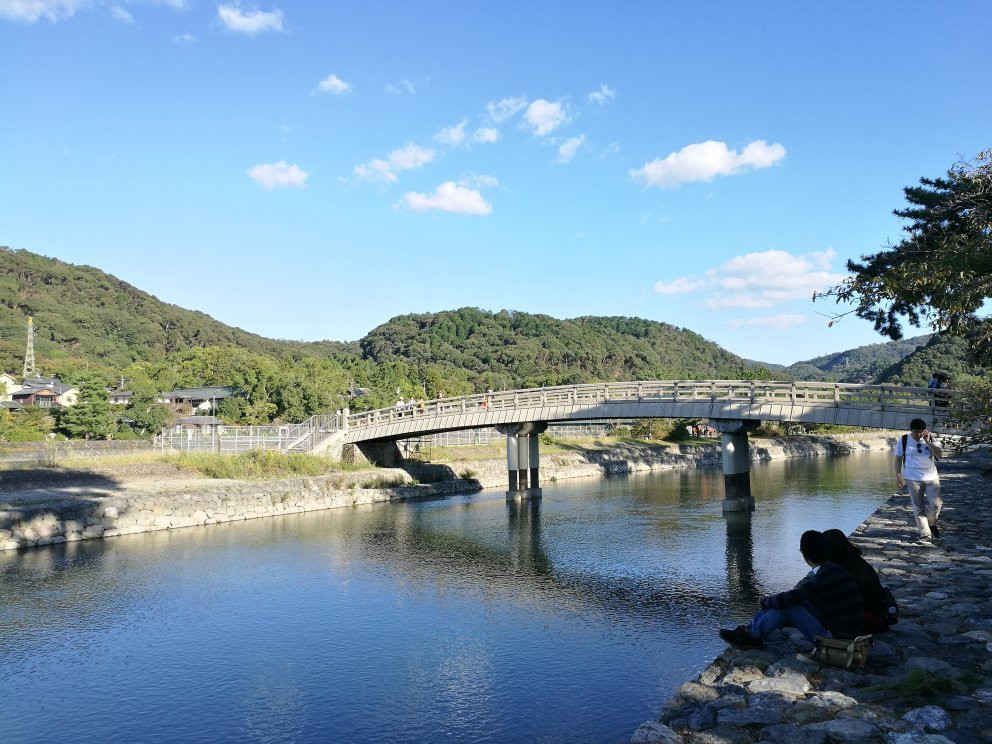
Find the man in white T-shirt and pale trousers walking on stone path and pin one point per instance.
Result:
(916, 468)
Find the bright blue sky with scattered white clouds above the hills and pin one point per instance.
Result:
(310, 170)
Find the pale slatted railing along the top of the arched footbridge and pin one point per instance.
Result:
(881, 397)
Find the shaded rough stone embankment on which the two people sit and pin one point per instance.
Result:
(928, 679)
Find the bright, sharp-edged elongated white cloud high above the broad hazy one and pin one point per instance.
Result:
(706, 160)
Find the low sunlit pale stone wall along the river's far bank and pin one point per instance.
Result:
(46, 516)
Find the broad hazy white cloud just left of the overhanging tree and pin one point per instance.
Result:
(760, 280)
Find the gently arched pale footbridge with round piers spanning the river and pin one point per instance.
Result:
(733, 407)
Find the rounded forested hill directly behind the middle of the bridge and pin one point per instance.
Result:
(520, 349)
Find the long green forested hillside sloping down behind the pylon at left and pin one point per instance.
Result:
(82, 313)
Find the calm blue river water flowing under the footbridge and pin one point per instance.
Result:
(568, 619)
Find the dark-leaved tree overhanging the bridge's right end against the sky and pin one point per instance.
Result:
(941, 272)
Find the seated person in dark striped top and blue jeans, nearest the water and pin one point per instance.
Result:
(825, 602)
